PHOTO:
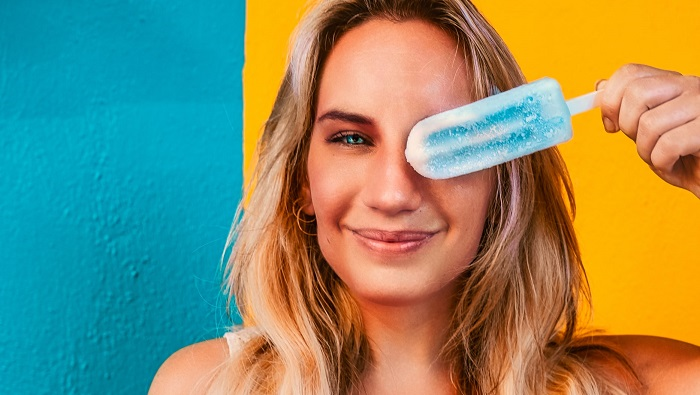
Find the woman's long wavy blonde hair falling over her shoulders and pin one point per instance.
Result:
(514, 329)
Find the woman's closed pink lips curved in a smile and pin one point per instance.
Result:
(392, 241)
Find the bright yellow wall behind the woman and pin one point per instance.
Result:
(640, 238)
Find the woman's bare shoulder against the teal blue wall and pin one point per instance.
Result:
(188, 370)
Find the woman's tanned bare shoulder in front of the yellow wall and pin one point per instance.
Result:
(665, 366)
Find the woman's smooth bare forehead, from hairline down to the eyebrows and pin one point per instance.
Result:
(396, 60)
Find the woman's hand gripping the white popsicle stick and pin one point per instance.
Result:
(660, 111)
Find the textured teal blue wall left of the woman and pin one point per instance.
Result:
(120, 170)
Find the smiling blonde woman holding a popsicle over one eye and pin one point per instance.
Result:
(354, 274)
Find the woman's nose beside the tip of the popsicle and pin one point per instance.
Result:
(393, 187)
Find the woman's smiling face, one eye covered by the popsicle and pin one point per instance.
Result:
(393, 236)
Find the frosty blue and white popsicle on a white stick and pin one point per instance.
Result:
(494, 130)
